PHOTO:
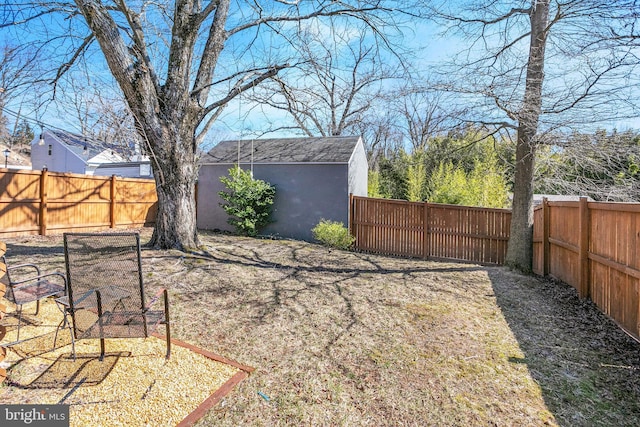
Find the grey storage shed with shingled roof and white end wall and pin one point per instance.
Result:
(313, 179)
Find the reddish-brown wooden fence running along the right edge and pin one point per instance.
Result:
(594, 247)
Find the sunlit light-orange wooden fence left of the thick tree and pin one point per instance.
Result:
(39, 202)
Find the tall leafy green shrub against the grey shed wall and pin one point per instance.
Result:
(248, 201)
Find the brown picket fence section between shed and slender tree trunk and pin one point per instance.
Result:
(430, 230)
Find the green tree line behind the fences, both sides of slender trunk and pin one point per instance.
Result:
(470, 169)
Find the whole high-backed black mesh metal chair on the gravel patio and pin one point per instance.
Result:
(106, 296)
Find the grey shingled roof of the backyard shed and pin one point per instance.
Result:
(334, 149)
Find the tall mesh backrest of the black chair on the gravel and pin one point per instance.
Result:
(105, 261)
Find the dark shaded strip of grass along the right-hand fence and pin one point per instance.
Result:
(587, 368)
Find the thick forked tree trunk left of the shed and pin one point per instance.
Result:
(166, 115)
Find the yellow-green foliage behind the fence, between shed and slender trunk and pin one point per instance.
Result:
(458, 168)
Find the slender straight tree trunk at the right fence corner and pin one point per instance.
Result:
(520, 249)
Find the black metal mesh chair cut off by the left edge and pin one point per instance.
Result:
(25, 283)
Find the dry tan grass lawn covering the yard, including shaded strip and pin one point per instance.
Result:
(342, 338)
